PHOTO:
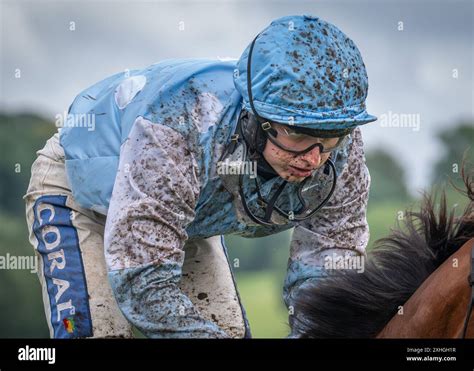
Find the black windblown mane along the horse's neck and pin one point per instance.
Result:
(348, 304)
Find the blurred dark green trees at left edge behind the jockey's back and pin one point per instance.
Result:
(21, 306)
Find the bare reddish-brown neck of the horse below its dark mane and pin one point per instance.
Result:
(438, 307)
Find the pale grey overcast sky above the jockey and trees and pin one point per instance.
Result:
(424, 70)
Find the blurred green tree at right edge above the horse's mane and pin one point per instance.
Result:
(457, 142)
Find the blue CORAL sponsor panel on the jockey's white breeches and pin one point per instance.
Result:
(63, 270)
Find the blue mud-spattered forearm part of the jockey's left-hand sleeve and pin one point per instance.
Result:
(151, 300)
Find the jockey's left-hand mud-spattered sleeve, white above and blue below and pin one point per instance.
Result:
(153, 200)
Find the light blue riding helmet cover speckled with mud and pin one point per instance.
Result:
(305, 72)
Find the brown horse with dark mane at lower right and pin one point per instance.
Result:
(416, 281)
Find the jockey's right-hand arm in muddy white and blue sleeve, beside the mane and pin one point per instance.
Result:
(340, 228)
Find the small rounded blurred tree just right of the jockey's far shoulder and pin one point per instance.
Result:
(388, 178)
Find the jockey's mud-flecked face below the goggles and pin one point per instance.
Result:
(291, 167)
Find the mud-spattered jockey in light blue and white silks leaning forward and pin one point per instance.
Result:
(184, 152)
